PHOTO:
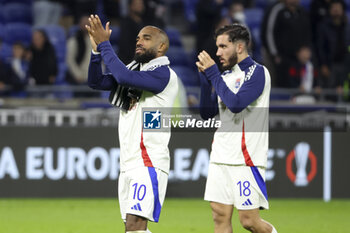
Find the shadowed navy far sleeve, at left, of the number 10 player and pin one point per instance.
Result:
(97, 80)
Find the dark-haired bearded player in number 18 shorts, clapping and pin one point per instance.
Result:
(240, 95)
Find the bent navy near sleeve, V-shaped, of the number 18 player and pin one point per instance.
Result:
(248, 93)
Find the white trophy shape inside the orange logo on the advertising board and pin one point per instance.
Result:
(301, 156)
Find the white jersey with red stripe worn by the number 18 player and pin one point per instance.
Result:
(243, 137)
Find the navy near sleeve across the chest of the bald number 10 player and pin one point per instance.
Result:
(154, 80)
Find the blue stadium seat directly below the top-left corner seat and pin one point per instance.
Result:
(18, 32)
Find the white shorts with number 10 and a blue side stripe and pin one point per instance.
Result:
(141, 192)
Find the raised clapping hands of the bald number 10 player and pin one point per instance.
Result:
(97, 31)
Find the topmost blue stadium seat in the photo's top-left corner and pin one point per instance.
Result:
(17, 13)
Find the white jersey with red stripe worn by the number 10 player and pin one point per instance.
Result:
(150, 149)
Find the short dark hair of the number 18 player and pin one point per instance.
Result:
(235, 32)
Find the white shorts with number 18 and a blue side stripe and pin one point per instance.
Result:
(241, 186)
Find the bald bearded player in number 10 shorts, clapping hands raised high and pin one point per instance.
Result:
(147, 82)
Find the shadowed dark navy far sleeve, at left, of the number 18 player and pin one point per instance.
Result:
(208, 100)
